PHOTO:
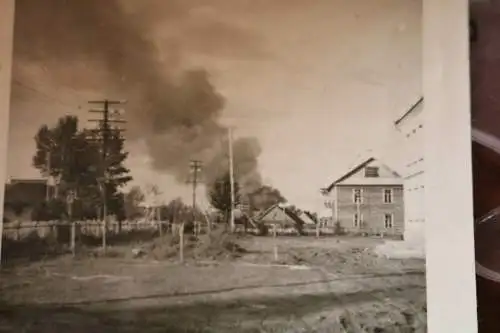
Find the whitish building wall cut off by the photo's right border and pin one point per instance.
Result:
(412, 152)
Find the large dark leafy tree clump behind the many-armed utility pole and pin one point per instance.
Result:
(75, 158)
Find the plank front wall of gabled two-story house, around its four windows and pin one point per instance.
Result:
(372, 208)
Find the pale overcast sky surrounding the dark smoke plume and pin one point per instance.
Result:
(321, 84)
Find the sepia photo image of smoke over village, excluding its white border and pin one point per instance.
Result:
(216, 166)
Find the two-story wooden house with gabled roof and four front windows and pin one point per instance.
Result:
(368, 199)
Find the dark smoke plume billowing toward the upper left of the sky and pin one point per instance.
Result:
(108, 45)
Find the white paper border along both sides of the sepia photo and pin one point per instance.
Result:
(451, 296)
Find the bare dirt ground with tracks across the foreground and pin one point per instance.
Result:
(317, 285)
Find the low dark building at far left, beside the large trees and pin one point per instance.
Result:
(22, 196)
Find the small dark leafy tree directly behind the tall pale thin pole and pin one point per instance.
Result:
(220, 195)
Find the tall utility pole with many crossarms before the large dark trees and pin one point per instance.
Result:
(105, 130)
